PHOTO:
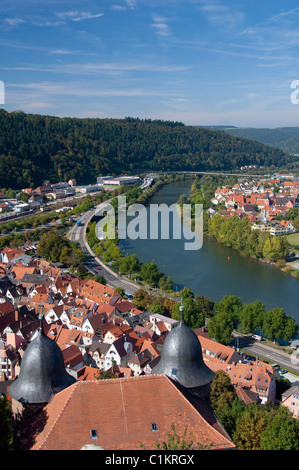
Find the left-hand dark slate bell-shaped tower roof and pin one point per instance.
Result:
(42, 371)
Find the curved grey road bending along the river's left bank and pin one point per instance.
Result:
(93, 263)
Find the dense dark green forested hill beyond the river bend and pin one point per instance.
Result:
(34, 148)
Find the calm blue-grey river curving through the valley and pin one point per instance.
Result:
(215, 270)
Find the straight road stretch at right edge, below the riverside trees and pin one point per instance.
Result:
(268, 353)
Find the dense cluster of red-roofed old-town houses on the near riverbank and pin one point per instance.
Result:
(102, 334)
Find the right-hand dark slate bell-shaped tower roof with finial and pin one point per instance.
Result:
(182, 358)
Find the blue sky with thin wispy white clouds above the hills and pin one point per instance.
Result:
(202, 62)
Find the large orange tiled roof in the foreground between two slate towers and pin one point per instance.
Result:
(121, 413)
